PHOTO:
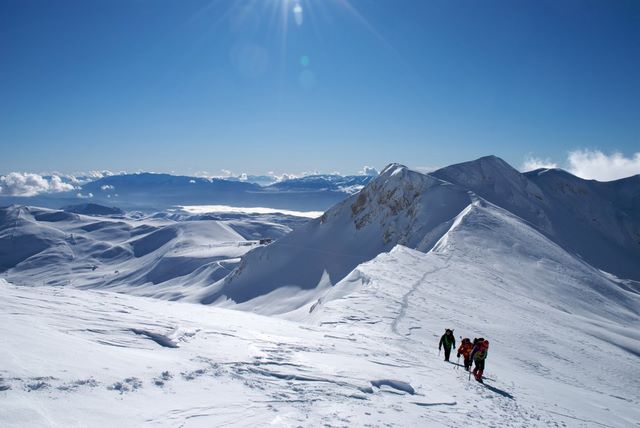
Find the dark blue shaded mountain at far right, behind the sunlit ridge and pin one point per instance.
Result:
(599, 222)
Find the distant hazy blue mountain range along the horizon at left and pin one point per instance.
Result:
(153, 192)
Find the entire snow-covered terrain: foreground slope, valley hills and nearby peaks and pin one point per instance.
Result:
(340, 318)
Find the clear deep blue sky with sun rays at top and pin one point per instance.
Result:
(326, 85)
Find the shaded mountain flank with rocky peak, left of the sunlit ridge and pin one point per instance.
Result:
(395, 208)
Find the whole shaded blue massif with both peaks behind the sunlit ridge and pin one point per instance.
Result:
(598, 224)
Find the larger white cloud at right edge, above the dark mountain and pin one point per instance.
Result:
(593, 164)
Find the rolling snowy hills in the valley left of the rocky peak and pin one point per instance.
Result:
(152, 256)
